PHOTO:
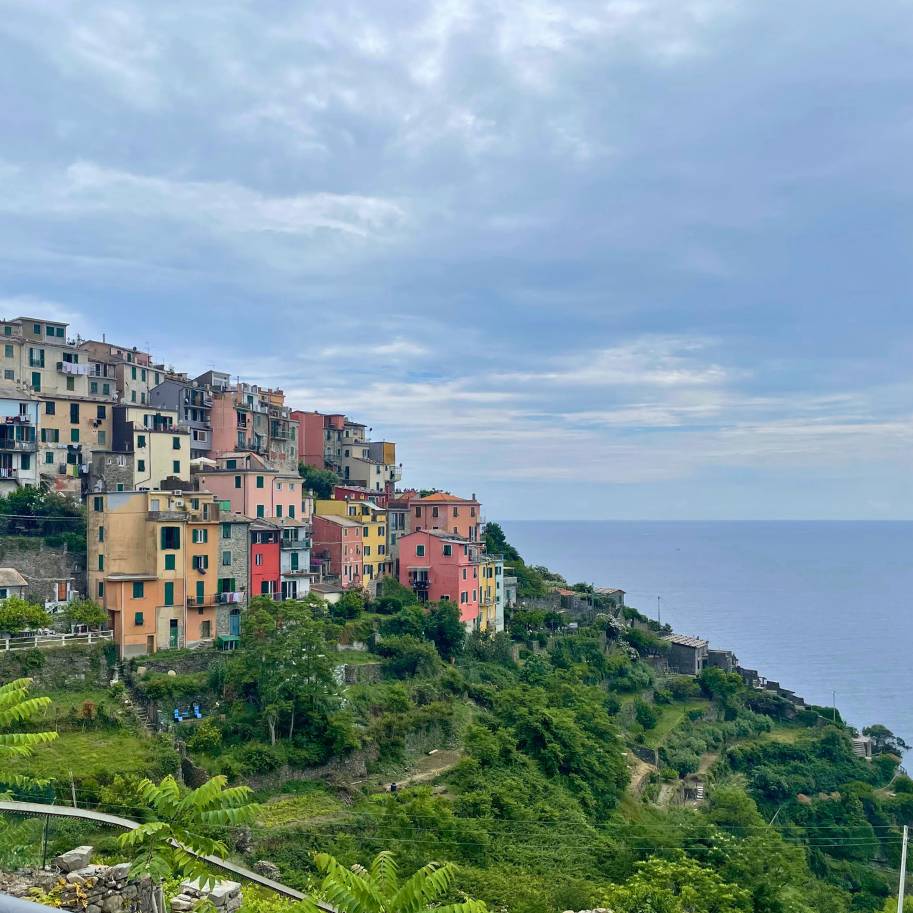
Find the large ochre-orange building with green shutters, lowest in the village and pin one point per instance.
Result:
(153, 563)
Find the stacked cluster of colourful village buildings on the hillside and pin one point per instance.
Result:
(194, 499)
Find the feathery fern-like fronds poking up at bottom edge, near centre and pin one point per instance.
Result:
(378, 889)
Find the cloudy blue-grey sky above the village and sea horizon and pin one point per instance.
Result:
(630, 258)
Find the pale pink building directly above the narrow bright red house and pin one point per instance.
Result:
(254, 488)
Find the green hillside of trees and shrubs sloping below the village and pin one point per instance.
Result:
(551, 768)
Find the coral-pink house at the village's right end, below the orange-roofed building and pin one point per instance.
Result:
(437, 566)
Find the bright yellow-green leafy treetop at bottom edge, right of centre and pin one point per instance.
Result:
(677, 885)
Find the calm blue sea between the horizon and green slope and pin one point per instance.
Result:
(819, 607)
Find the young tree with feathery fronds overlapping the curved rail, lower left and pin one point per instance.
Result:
(171, 844)
